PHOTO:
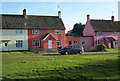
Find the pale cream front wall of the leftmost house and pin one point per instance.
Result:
(10, 36)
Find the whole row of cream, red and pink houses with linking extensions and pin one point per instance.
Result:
(24, 32)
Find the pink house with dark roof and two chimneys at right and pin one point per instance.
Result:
(103, 31)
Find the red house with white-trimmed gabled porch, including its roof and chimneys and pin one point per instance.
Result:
(45, 31)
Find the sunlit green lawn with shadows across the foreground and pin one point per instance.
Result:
(70, 67)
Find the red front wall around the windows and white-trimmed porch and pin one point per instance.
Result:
(41, 34)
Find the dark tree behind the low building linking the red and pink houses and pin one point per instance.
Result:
(77, 30)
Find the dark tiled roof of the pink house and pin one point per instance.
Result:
(105, 25)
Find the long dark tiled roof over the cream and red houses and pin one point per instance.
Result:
(31, 21)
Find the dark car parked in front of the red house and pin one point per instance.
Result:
(72, 49)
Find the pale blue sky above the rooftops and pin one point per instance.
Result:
(72, 12)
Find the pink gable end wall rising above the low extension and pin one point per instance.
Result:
(88, 30)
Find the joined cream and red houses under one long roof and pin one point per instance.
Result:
(23, 32)
